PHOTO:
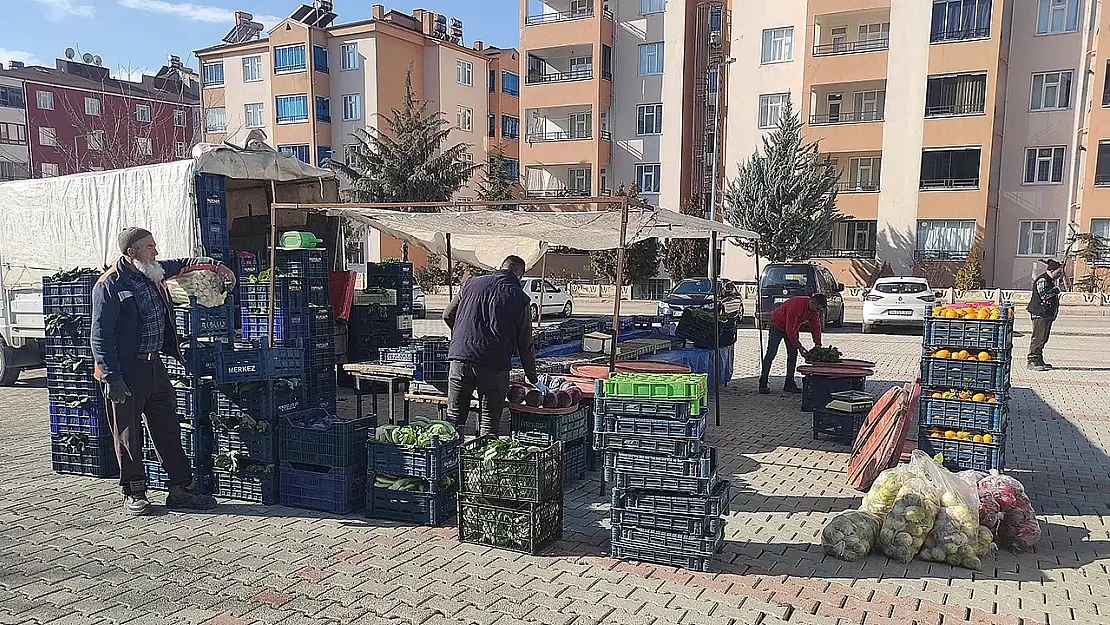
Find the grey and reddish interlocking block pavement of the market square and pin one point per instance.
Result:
(70, 557)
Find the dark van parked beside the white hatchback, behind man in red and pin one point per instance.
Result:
(782, 281)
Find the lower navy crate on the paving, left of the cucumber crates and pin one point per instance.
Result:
(328, 489)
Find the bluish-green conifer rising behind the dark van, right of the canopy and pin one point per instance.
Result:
(788, 195)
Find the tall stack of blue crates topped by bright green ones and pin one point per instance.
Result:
(668, 501)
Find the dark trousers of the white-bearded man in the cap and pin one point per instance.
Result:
(153, 399)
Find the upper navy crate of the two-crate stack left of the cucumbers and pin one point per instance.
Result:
(317, 437)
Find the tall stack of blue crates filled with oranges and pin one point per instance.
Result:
(966, 366)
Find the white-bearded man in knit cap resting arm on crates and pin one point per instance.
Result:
(133, 327)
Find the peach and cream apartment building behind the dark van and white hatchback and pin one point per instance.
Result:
(952, 123)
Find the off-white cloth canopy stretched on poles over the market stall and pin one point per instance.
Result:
(485, 238)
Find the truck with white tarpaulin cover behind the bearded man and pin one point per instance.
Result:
(73, 221)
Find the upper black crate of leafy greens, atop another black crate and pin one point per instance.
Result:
(534, 479)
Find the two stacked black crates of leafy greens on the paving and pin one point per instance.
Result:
(510, 503)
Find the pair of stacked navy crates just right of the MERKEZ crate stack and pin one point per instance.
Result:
(324, 461)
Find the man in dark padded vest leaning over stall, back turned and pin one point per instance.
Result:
(490, 322)
